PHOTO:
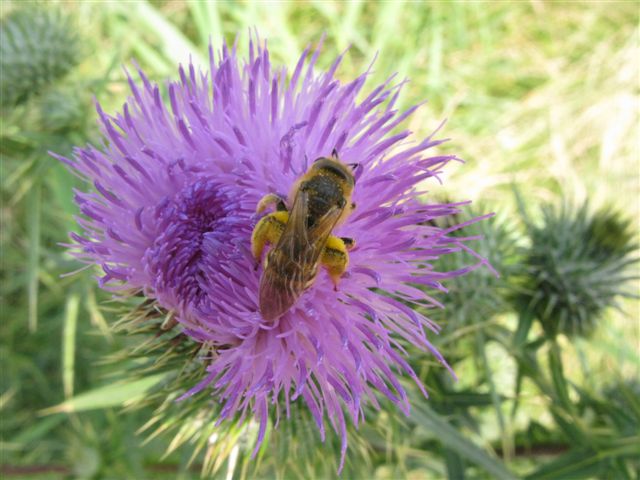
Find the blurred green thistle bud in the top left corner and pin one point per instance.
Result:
(38, 46)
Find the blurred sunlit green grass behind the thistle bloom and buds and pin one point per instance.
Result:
(538, 95)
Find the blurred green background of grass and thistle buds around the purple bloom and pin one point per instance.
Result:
(541, 101)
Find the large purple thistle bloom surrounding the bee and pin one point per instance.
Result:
(172, 214)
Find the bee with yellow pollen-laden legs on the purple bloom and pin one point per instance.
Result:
(301, 238)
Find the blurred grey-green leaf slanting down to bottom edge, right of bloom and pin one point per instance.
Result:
(424, 416)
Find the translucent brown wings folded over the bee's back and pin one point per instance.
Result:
(293, 261)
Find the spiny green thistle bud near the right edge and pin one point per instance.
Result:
(576, 266)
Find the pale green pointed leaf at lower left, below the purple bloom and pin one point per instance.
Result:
(114, 395)
